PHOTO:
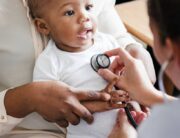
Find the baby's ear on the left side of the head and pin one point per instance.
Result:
(42, 26)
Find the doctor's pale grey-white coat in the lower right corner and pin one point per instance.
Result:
(164, 122)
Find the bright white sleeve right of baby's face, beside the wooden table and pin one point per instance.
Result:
(109, 22)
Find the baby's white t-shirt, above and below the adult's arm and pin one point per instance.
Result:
(75, 70)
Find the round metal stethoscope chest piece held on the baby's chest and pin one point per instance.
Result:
(100, 61)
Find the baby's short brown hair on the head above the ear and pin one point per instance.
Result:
(36, 7)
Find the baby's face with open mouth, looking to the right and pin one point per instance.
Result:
(71, 24)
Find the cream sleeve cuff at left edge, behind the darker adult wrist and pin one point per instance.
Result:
(7, 123)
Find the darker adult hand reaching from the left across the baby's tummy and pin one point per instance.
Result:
(54, 101)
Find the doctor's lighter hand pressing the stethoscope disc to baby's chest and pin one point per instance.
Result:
(132, 76)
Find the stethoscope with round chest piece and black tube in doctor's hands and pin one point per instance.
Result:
(102, 61)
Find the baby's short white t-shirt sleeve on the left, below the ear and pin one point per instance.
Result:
(46, 68)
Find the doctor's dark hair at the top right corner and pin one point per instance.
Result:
(166, 16)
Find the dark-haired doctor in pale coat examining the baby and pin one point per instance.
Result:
(164, 121)
